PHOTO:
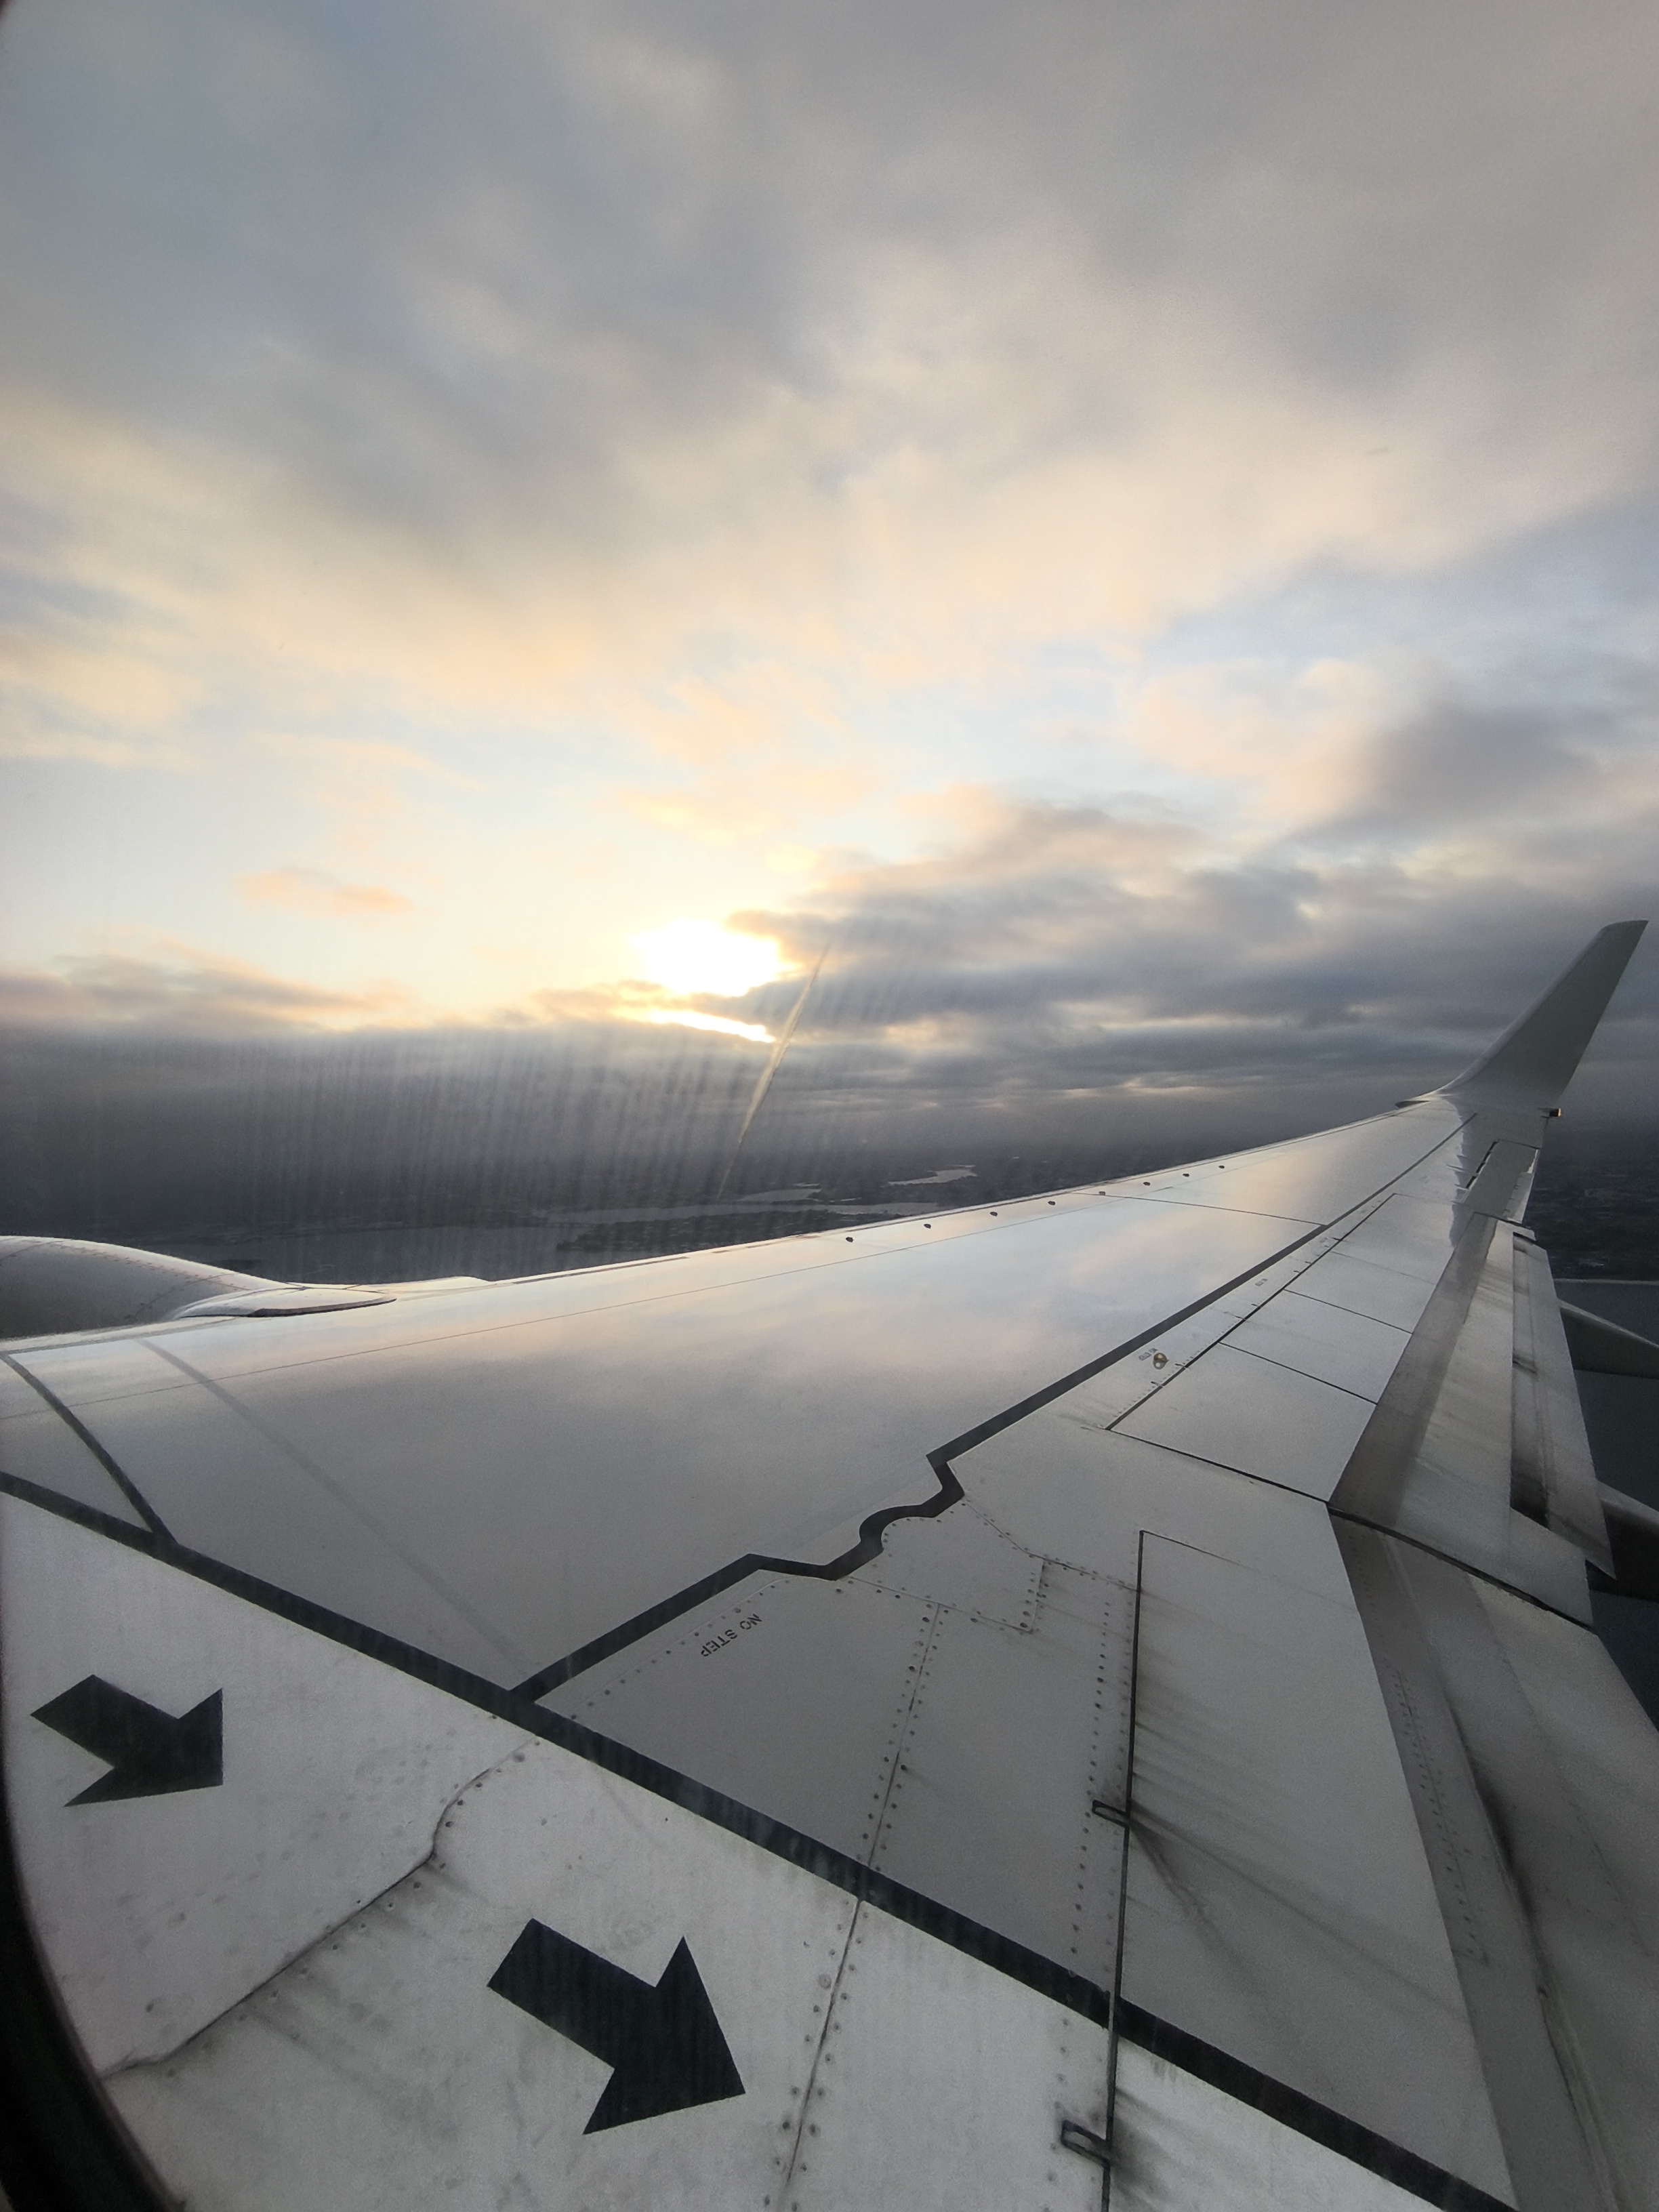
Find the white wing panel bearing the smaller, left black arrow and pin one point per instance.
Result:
(165, 1910)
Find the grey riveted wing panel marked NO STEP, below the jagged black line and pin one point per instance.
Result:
(954, 1751)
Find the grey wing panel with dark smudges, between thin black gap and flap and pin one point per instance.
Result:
(1280, 1903)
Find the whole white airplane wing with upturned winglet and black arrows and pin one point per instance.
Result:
(1063, 1700)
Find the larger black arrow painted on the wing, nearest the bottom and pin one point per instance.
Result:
(665, 2043)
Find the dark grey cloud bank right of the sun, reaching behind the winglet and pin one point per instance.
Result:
(1083, 952)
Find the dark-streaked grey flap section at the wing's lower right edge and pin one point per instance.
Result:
(1536, 1786)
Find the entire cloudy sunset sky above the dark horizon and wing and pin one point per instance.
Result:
(1129, 534)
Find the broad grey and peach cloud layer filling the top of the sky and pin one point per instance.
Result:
(640, 342)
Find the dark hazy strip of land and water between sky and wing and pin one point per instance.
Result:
(388, 1158)
